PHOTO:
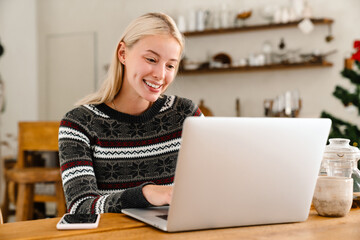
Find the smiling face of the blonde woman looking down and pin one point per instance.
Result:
(150, 66)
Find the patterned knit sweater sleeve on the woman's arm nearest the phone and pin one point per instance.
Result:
(78, 176)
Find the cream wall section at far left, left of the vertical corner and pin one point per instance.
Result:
(18, 67)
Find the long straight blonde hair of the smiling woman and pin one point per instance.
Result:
(145, 25)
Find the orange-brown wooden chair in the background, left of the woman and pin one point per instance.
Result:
(35, 136)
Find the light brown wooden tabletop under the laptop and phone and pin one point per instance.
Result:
(119, 226)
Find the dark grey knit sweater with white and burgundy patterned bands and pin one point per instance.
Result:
(106, 156)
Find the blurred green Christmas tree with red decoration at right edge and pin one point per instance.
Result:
(350, 99)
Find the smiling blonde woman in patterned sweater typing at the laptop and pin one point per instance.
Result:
(118, 148)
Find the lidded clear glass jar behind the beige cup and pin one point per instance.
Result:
(340, 160)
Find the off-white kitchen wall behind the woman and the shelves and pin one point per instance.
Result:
(25, 25)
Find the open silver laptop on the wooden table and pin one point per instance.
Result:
(242, 171)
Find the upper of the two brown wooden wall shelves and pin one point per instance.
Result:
(316, 21)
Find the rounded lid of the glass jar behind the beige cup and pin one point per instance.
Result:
(340, 149)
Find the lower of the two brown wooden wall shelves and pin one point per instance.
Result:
(257, 68)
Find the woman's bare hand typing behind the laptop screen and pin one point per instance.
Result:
(157, 195)
